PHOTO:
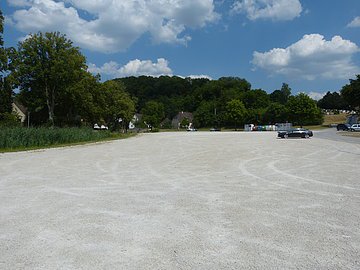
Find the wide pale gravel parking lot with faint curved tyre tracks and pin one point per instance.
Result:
(197, 200)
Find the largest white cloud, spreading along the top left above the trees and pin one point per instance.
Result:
(112, 26)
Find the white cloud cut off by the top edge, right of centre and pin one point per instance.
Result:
(277, 10)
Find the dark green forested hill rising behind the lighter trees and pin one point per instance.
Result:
(185, 94)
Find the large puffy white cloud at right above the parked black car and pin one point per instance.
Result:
(310, 58)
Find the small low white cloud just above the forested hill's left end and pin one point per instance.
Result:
(133, 68)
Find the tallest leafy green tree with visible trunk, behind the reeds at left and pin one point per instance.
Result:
(48, 64)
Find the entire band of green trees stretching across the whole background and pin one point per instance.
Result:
(50, 78)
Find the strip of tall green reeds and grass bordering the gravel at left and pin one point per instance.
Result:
(21, 139)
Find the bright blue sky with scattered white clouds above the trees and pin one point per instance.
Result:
(313, 45)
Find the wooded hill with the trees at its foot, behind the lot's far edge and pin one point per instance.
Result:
(226, 102)
